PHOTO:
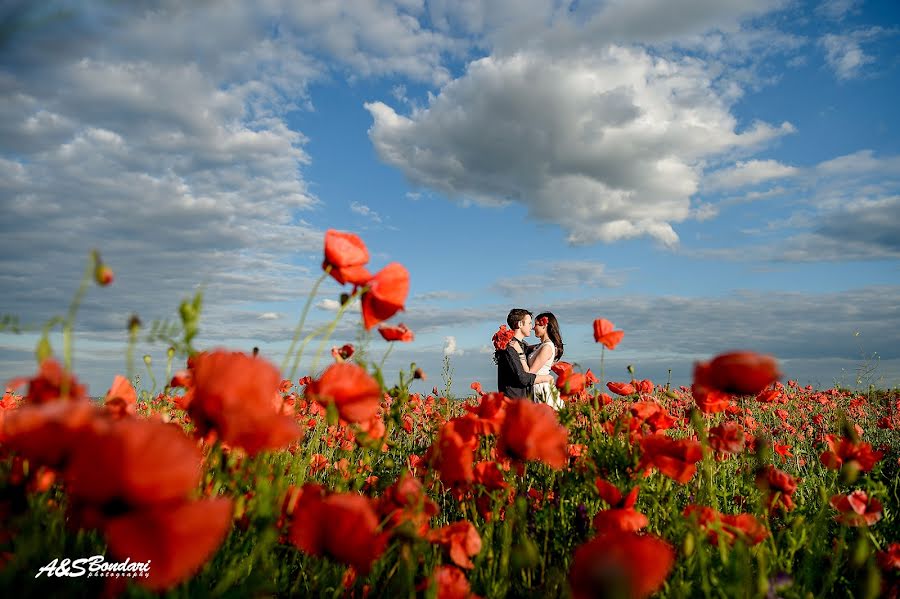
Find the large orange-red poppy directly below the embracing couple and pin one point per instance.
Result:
(531, 431)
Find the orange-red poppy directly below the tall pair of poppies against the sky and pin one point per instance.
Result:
(356, 395)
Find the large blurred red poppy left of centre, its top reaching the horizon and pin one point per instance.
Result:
(232, 395)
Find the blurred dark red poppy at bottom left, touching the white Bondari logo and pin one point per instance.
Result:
(177, 539)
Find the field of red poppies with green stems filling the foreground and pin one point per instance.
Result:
(243, 477)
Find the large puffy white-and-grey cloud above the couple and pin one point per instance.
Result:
(606, 145)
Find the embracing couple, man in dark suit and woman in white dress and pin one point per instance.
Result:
(523, 370)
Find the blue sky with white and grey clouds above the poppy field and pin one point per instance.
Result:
(711, 176)
